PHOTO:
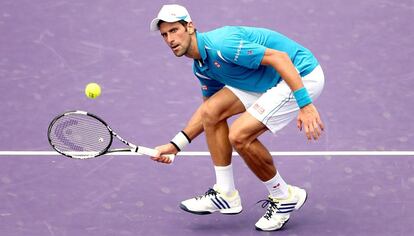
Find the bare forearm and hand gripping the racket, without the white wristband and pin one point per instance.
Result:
(193, 128)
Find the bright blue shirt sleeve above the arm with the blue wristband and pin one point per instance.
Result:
(242, 52)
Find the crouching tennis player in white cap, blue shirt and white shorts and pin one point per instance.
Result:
(267, 78)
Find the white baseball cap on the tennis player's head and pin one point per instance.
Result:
(170, 13)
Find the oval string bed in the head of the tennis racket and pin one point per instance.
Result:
(80, 135)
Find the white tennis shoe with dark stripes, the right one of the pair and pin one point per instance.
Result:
(278, 210)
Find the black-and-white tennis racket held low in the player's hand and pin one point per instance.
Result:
(82, 135)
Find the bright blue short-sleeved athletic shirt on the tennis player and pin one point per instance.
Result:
(231, 55)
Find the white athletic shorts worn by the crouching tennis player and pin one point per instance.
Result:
(277, 106)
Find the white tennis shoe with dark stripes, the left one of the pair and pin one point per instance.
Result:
(213, 201)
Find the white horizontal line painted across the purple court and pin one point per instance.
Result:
(283, 153)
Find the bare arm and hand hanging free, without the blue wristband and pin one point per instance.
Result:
(308, 117)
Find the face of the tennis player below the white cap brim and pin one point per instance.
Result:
(177, 37)
